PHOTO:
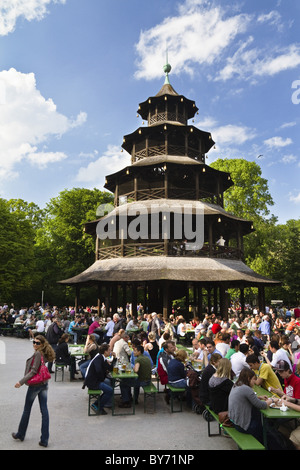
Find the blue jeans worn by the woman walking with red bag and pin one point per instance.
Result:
(39, 391)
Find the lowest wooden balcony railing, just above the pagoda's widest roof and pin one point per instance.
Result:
(168, 249)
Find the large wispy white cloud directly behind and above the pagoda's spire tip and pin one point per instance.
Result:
(199, 34)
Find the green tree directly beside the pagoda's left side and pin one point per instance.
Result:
(62, 247)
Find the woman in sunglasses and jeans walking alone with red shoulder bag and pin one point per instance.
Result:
(42, 352)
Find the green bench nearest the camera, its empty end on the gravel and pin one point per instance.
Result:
(244, 441)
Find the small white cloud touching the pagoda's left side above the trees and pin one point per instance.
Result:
(112, 160)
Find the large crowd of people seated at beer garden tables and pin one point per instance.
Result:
(228, 356)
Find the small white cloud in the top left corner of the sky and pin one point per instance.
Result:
(12, 10)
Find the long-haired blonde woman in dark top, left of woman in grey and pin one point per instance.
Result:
(220, 385)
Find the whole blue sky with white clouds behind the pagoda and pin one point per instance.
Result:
(73, 72)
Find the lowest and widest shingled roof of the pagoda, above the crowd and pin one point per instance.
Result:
(204, 270)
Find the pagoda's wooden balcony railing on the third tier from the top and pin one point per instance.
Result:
(160, 193)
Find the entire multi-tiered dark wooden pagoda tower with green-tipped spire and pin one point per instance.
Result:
(168, 167)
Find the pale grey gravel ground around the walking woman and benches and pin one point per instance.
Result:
(72, 429)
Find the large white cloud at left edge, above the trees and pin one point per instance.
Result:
(28, 120)
